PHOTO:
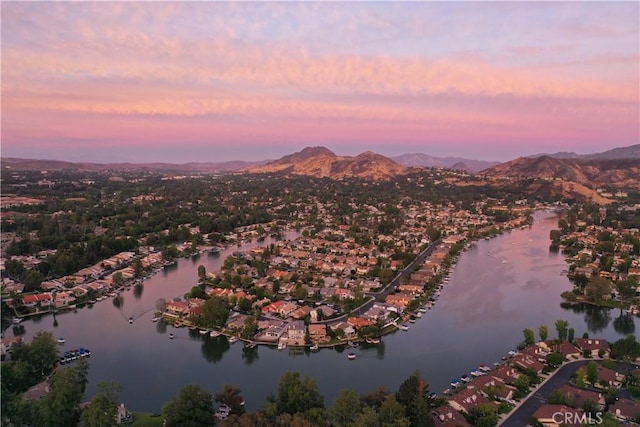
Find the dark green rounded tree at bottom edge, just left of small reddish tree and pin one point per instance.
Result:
(191, 407)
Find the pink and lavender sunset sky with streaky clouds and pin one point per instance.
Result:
(213, 81)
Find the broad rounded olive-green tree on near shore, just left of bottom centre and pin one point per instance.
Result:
(297, 394)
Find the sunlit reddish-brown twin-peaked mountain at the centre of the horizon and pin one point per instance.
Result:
(321, 162)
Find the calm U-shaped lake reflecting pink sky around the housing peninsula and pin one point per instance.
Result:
(498, 288)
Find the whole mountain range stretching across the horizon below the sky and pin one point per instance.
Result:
(619, 167)
